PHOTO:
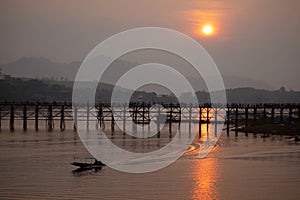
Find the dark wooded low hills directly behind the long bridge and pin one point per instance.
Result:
(19, 89)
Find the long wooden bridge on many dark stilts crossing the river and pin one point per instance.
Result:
(233, 115)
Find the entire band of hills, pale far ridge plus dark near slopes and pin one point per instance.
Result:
(50, 81)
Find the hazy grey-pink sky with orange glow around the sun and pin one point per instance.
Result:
(258, 39)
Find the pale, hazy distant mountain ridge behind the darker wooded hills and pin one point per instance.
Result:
(31, 67)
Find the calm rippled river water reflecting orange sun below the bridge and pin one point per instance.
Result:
(36, 165)
